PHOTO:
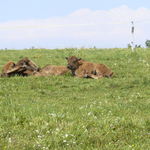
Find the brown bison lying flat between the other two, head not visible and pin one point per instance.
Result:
(51, 70)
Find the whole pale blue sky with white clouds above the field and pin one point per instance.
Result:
(44, 13)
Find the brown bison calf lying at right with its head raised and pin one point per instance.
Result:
(83, 69)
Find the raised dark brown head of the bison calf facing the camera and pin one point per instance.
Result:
(73, 62)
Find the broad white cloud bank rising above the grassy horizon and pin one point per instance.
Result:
(84, 27)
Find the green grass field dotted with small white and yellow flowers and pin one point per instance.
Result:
(77, 113)
